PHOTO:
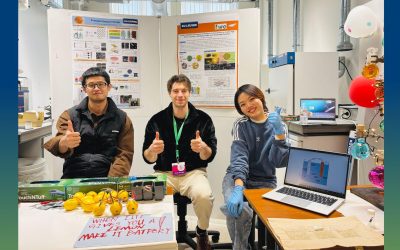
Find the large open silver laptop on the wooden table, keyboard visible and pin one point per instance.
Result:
(314, 180)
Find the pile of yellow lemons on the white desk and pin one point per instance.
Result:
(96, 203)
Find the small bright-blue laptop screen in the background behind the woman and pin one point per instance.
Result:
(319, 108)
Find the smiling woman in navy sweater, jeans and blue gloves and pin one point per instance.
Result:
(258, 148)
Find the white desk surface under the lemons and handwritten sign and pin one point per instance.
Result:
(55, 229)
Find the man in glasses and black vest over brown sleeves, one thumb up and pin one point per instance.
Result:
(95, 137)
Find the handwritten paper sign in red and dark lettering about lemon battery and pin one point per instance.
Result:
(127, 229)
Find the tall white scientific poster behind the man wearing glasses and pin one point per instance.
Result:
(109, 43)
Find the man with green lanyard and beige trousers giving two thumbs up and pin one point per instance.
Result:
(181, 141)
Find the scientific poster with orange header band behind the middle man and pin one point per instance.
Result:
(207, 54)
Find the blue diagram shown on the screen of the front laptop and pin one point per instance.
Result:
(315, 171)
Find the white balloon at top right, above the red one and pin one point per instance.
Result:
(361, 22)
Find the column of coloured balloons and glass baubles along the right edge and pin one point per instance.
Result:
(367, 90)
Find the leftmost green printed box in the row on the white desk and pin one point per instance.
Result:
(51, 190)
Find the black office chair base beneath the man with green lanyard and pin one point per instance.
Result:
(183, 235)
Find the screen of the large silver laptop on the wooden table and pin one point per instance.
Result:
(319, 171)
